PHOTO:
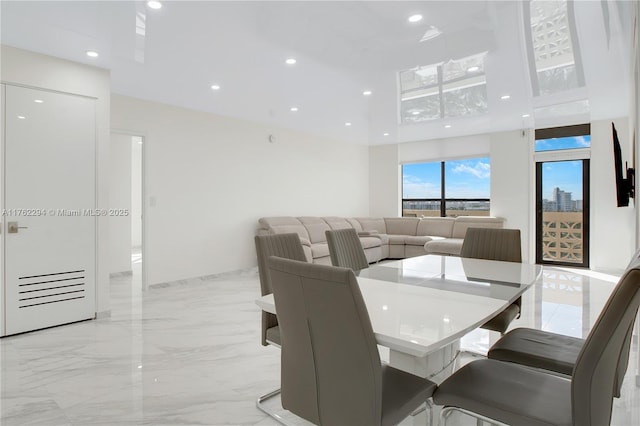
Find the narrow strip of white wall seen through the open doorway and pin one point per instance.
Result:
(120, 198)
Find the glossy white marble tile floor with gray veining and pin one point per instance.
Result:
(189, 354)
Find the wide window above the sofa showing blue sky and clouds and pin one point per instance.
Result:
(446, 188)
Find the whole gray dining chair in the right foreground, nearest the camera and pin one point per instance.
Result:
(514, 394)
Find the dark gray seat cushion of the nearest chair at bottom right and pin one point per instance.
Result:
(509, 393)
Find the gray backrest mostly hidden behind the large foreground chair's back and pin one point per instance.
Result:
(282, 245)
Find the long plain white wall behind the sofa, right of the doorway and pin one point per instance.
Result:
(210, 178)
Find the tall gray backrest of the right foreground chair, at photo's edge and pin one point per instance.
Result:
(599, 368)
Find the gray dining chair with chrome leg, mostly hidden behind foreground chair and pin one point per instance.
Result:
(283, 245)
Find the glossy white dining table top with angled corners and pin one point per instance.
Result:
(420, 304)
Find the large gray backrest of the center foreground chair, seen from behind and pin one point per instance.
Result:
(330, 369)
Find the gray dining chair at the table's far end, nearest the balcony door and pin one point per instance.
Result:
(495, 244)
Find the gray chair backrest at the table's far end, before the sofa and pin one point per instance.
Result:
(492, 244)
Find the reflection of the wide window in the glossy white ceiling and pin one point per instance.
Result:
(452, 89)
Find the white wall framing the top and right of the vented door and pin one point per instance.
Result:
(40, 71)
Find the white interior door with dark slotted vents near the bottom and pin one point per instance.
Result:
(49, 215)
